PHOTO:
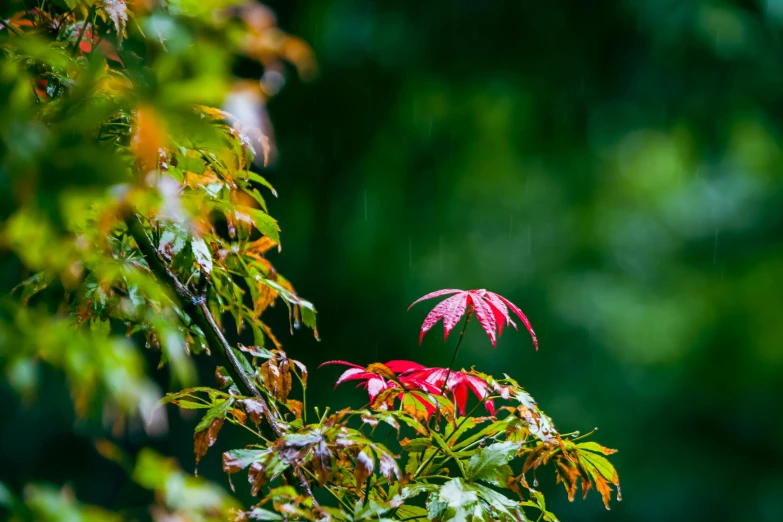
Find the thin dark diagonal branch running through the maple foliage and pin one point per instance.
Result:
(195, 306)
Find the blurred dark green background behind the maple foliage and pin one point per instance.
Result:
(611, 167)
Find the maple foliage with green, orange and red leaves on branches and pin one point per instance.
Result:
(139, 217)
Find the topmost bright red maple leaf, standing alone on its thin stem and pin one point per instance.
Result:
(490, 309)
